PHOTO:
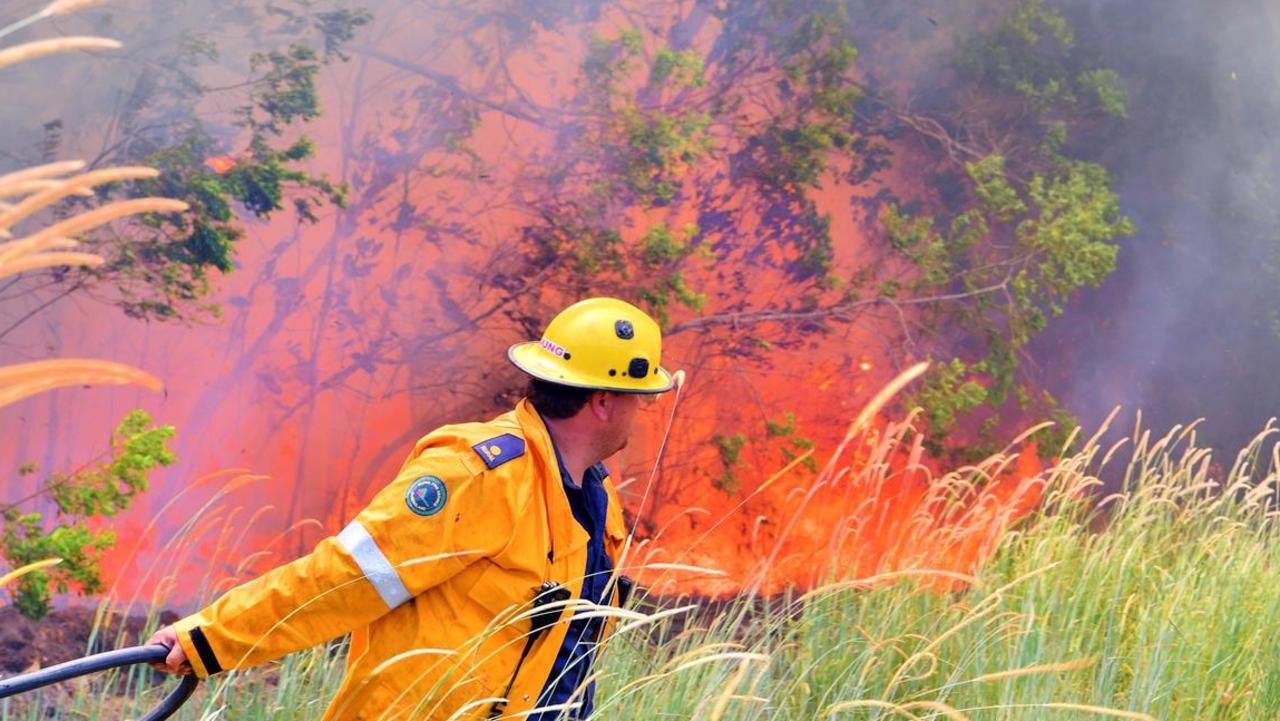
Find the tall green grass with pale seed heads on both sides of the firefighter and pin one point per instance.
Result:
(1159, 600)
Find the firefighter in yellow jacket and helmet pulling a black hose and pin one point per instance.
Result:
(464, 579)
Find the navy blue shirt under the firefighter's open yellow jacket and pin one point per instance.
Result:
(577, 655)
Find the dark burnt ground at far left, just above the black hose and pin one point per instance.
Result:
(63, 636)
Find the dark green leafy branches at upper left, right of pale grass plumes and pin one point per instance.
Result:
(163, 266)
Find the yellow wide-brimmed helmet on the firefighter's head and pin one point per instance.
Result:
(598, 344)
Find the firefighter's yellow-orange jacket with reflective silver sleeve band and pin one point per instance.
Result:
(476, 522)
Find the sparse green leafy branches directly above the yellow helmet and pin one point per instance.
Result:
(634, 150)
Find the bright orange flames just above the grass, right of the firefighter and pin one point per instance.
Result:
(888, 509)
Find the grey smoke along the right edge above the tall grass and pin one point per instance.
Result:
(1187, 326)
